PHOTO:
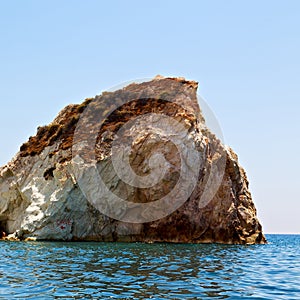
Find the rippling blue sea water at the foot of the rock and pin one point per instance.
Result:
(51, 270)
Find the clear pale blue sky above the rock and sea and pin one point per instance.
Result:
(245, 55)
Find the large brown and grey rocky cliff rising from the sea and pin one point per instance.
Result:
(137, 164)
